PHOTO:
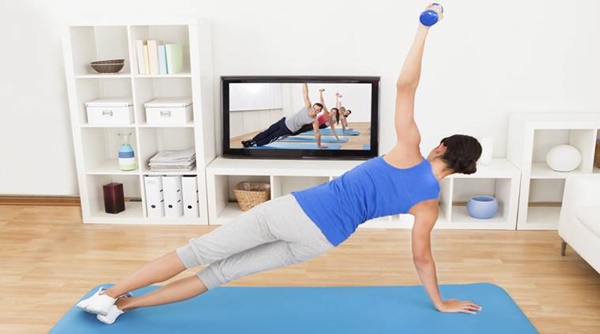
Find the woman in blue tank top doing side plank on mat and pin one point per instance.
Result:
(297, 227)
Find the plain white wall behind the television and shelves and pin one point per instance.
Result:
(487, 59)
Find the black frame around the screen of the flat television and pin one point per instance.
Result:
(229, 152)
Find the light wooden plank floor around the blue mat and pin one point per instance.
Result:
(50, 259)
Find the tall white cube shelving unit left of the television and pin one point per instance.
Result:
(96, 146)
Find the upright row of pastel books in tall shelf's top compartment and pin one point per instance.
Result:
(154, 57)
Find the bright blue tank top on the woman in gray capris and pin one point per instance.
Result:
(370, 190)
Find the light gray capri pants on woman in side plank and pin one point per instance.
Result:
(272, 235)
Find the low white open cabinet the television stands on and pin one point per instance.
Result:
(500, 179)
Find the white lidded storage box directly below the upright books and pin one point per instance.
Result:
(169, 111)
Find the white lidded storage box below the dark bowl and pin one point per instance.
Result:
(110, 111)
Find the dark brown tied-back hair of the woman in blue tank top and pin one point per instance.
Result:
(462, 153)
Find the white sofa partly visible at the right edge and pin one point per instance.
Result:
(579, 224)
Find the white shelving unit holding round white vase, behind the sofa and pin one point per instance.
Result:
(531, 135)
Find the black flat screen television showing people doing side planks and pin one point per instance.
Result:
(251, 104)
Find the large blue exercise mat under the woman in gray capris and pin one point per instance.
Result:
(314, 310)
